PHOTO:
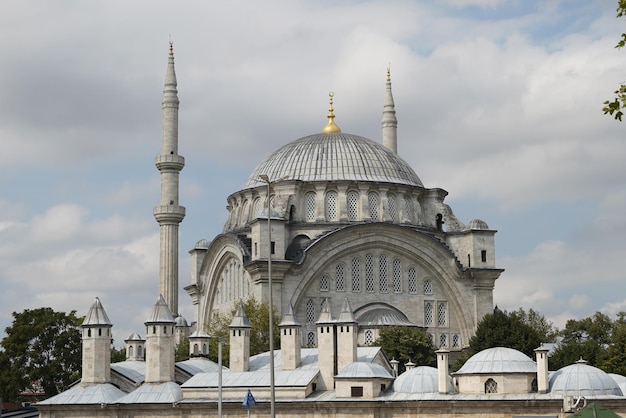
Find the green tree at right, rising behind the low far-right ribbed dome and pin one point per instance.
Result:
(586, 338)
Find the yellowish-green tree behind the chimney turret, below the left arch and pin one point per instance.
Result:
(258, 315)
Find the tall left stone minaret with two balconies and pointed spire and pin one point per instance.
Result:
(169, 214)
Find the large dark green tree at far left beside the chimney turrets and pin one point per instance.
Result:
(41, 347)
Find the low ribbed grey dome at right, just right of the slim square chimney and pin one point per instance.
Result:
(581, 379)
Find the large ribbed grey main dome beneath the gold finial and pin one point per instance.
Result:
(335, 157)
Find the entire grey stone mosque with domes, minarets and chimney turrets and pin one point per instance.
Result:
(339, 233)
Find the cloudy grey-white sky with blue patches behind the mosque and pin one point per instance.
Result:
(498, 102)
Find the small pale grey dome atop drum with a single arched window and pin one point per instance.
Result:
(498, 360)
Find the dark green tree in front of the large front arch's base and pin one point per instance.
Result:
(406, 344)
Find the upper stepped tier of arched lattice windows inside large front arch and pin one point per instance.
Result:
(361, 274)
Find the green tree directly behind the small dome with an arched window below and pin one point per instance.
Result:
(520, 330)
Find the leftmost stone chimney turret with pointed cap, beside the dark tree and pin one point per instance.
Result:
(96, 330)
